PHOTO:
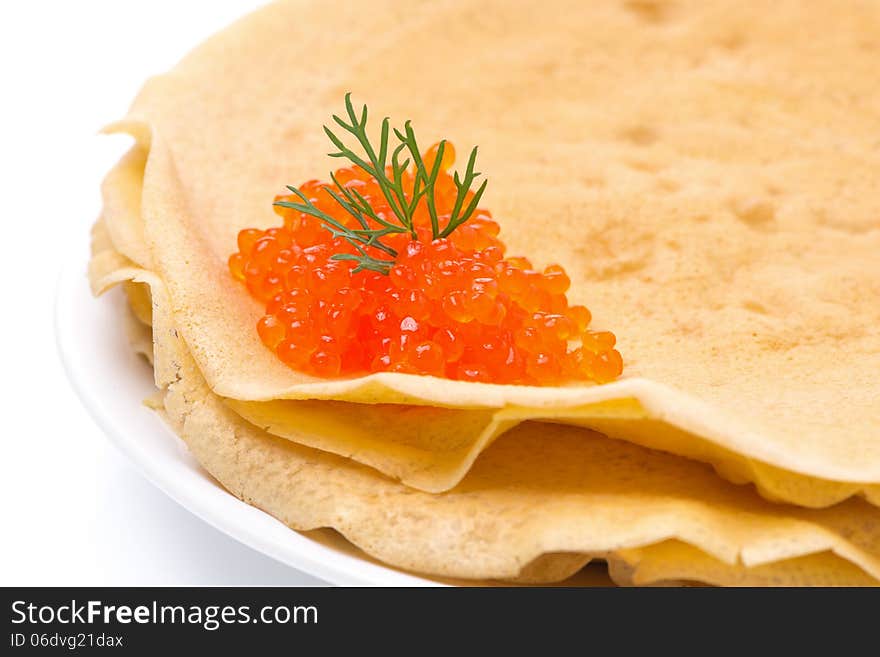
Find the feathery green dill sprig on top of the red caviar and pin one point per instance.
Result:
(374, 226)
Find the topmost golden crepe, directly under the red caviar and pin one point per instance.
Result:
(706, 176)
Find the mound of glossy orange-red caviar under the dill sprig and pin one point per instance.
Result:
(454, 307)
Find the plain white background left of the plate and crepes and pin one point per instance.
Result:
(74, 512)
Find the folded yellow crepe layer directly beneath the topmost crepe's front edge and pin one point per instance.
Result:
(432, 448)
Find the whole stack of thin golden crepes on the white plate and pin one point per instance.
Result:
(706, 172)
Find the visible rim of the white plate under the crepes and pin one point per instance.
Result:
(112, 381)
